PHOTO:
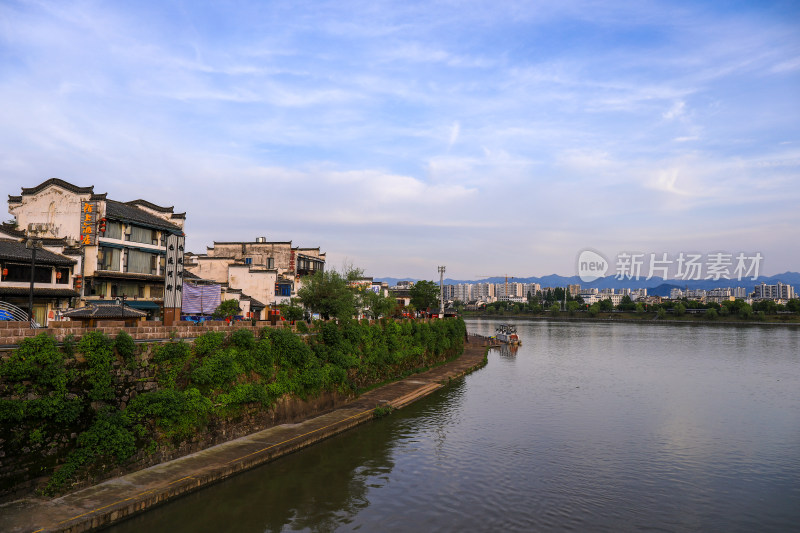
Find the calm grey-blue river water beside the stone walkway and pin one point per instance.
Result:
(587, 427)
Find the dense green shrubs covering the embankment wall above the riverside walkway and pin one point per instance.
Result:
(77, 412)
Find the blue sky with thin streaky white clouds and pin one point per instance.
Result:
(489, 137)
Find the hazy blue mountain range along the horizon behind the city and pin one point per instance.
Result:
(655, 285)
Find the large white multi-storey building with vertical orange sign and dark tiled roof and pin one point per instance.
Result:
(122, 245)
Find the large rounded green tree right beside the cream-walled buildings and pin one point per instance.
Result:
(329, 293)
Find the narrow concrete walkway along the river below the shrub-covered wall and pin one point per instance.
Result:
(117, 498)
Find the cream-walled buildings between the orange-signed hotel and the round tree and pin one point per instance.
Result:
(269, 272)
